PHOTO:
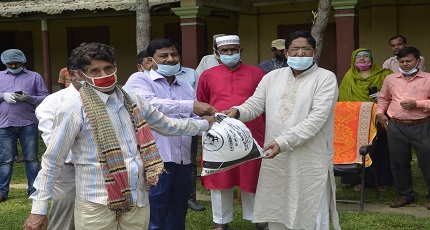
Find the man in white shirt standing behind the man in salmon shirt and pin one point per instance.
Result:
(398, 42)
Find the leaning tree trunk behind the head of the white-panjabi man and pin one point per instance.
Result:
(320, 23)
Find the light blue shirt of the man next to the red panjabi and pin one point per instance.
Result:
(175, 101)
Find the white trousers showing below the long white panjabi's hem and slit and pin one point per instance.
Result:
(323, 217)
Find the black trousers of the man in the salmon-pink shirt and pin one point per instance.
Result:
(400, 140)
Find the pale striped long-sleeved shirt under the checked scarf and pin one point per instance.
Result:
(72, 132)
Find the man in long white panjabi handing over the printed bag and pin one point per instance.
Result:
(296, 189)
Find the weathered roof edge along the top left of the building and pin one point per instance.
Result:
(10, 8)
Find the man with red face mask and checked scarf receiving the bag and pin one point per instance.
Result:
(115, 156)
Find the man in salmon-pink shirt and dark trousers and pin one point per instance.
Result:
(405, 96)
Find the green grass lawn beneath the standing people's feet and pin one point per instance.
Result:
(15, 210)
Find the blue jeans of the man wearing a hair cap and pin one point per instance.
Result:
(28, 137)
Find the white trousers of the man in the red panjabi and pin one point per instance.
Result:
(222, 205)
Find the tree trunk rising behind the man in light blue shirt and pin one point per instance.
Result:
(143, 25)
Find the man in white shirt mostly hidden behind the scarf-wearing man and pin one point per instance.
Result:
(64, 189)
